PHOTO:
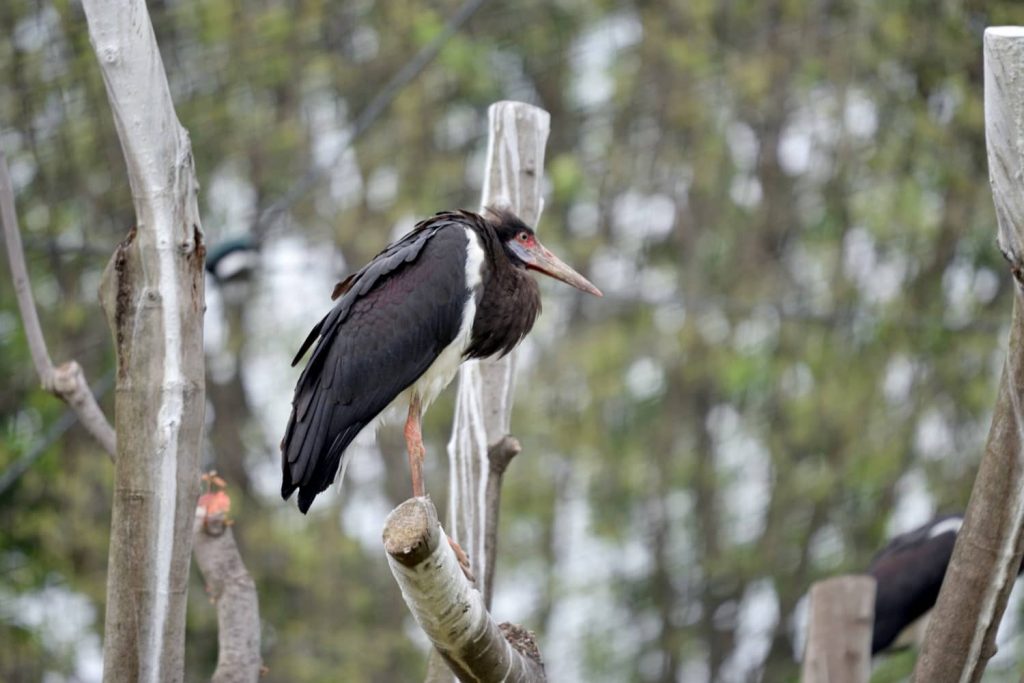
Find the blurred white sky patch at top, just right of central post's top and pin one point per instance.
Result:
(594, 55)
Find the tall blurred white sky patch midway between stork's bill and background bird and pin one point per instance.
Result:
(744, 464)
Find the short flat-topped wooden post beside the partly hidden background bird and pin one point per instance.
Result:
(839, 633)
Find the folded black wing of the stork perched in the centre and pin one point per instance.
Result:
(393, 321)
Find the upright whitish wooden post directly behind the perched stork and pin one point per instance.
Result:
(484, 403)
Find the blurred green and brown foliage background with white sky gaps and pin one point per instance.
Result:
(786, 204)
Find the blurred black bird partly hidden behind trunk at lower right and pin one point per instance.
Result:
(909, 573)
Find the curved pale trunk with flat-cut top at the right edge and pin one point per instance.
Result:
(961, 635)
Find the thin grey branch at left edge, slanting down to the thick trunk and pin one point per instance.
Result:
(68, 381)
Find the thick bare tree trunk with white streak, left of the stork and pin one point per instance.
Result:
(154, 300)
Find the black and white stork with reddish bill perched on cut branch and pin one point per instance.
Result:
(455, 288)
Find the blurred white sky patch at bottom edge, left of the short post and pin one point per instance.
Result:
(759, 614)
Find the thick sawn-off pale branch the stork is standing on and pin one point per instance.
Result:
(449, 610)
